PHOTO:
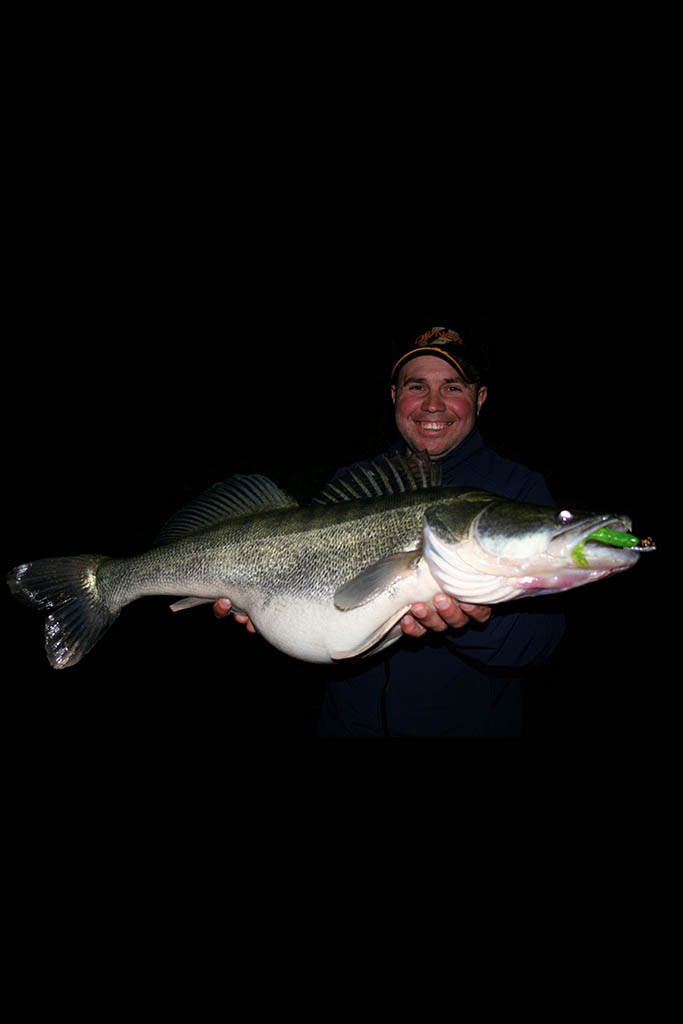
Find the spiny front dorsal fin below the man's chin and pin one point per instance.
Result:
(383, 477)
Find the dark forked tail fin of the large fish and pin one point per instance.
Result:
(67, 589)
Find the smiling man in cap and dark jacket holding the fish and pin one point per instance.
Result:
(458, 672)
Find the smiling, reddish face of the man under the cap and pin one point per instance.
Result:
(435, 408)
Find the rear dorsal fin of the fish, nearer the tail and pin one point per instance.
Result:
(228, 500)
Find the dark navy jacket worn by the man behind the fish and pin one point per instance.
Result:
(463, 682)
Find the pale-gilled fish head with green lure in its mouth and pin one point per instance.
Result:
(510, 549)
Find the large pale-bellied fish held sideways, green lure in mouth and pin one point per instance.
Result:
(332, 580)
